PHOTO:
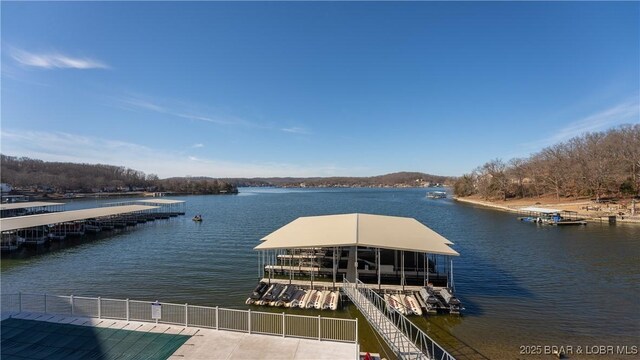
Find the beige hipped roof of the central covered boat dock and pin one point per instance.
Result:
(365, 230)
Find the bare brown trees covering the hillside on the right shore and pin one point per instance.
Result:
(595, 164)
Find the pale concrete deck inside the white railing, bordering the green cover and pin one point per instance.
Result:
(218, 344)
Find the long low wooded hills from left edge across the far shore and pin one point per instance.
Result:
(41, 176)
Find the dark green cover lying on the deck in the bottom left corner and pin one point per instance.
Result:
(29, 339)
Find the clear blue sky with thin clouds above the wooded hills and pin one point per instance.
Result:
(311, 89)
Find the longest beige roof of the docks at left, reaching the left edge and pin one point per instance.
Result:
(23, 222)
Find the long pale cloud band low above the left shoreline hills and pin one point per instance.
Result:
(60, 146)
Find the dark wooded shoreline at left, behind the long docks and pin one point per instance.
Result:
(63, 177)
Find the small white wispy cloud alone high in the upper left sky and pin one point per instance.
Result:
(55, 60)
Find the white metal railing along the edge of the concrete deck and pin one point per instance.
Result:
(279, 324)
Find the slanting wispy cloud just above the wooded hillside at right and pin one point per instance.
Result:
(625, 112)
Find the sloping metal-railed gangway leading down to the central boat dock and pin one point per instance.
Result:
(403, 336)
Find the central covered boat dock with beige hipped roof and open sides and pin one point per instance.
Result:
(375, 249)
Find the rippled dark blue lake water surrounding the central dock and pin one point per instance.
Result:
(521, 284)
